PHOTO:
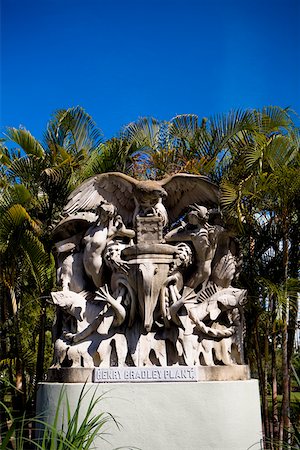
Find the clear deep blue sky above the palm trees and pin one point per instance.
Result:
(123, 59)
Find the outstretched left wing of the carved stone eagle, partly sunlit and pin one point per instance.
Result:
(115, 188)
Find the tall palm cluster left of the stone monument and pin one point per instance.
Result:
(38, 179)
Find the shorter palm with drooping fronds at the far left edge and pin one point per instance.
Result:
(23, 261)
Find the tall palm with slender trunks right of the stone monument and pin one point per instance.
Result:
(260, 192)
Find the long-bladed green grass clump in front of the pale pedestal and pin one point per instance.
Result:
(67, 431)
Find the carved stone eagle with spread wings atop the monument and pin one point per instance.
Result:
(167, 197)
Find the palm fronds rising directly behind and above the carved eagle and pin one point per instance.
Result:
(184, 144)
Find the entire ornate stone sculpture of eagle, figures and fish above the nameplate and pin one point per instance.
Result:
(146, 271)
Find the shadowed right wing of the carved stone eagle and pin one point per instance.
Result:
(185, 189)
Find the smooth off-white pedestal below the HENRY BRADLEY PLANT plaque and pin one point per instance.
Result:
(203, 415)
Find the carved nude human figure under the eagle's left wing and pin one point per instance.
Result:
(108, 226)
